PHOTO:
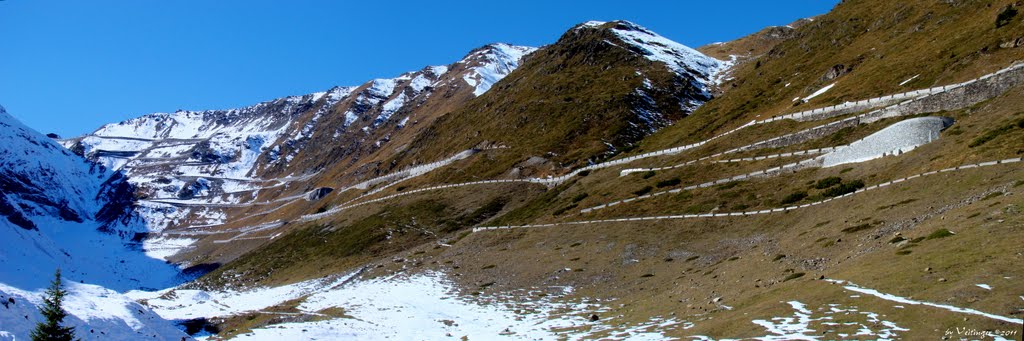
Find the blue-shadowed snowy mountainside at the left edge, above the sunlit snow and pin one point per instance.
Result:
(52, 200)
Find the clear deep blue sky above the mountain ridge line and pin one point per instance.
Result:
(71, 66)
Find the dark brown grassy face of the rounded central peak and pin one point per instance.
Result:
(564, 104)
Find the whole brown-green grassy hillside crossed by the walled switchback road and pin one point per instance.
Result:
(651, 268)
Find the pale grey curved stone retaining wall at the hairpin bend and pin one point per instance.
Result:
(898, 139)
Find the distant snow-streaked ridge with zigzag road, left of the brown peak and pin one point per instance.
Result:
(190, 166)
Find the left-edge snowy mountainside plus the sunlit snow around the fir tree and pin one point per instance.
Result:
(60, 210)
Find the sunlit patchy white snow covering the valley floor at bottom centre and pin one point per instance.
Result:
(425, 307)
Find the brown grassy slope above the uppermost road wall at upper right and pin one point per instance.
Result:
(885, 44)
